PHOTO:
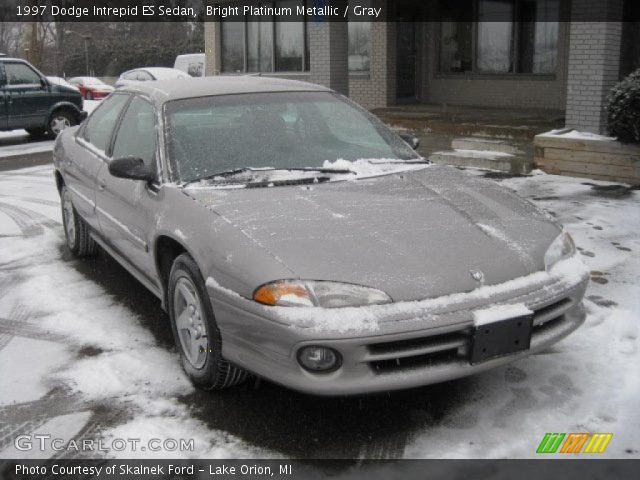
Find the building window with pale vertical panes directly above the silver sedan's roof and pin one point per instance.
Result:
(262, 46)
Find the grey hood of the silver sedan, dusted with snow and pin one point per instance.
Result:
(414, 235)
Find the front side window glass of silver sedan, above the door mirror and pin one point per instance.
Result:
(136, 136)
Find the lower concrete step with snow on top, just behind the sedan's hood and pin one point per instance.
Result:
(487, 160)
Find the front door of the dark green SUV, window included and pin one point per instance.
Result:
(28, 96)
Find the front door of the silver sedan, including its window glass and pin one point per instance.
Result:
(124, 206)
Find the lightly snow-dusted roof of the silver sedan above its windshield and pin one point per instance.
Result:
(174, 89)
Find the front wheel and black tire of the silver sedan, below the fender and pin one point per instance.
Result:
(195, 330)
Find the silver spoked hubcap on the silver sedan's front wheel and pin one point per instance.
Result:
(189, 315)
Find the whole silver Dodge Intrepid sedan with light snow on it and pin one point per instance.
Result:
(292, 235)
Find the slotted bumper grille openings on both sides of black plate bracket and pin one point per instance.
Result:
(448, 347)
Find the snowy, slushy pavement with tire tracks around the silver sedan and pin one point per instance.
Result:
(86, 353)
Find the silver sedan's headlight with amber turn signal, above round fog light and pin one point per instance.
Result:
(306, 293)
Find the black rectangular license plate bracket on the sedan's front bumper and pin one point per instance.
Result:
(502, 337)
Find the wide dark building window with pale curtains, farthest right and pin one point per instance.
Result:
(509, 36)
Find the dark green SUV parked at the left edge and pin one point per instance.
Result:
(28, 100)
